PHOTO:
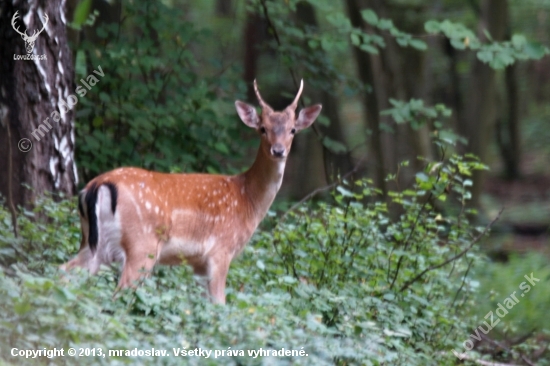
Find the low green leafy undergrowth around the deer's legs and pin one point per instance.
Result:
(355, 282)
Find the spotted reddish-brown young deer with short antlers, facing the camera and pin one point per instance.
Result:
(140, 218)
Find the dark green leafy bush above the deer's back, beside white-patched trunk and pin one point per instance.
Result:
(153, 108)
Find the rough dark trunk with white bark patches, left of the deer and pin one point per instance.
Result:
(37, 138)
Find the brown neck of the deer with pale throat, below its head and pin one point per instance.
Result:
(262, 182)
